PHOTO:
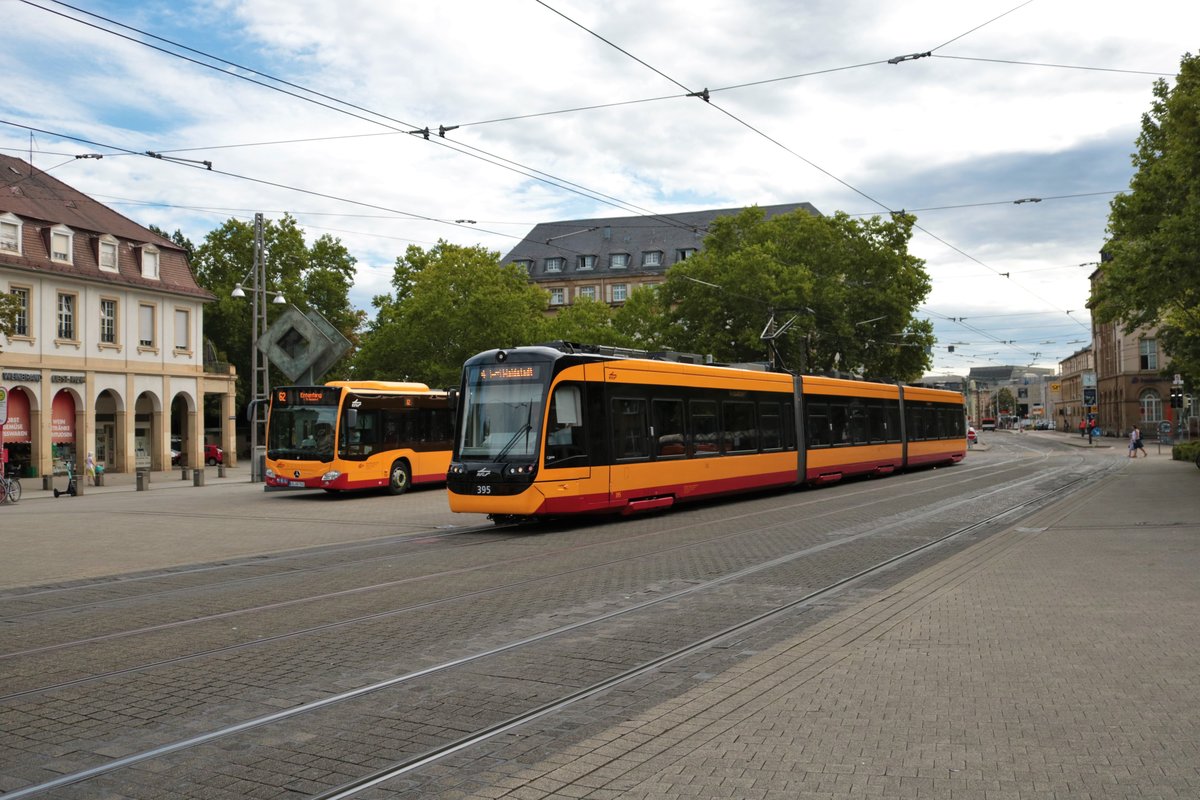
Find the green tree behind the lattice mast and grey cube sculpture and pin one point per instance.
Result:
(316, 278)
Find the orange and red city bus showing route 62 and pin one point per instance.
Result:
(358, 435)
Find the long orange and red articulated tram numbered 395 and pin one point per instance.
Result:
(565, 430)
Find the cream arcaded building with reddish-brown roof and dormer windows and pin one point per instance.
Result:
(109, 352)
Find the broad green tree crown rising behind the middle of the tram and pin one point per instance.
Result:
(849, 288)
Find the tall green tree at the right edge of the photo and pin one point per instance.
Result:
(1151, 269)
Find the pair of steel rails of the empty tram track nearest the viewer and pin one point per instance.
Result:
(415, 762)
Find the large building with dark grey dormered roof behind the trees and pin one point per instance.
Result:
(608, 258)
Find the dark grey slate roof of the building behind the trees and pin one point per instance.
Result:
(603, 237)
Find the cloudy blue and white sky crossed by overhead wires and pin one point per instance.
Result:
(1007, 128)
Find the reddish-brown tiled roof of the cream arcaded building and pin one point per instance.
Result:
(44, 202)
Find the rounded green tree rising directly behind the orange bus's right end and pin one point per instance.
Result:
(449, 303)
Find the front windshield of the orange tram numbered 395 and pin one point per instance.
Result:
(502, 413)
